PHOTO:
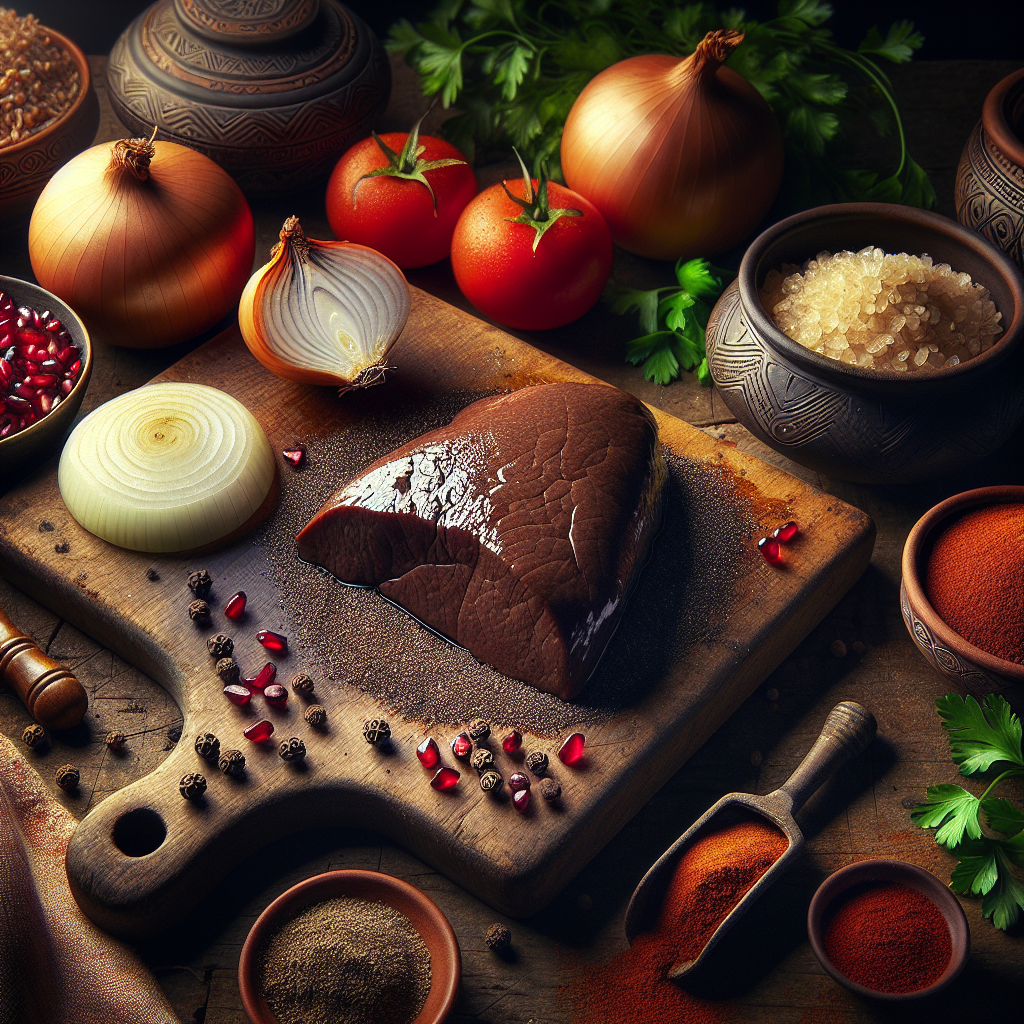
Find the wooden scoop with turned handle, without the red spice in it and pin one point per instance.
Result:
(847, 732)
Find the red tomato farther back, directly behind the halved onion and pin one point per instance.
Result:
(396, 216)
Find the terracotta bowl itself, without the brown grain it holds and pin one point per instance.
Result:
(27, 166)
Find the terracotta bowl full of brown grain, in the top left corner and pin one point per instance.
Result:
(49, 111)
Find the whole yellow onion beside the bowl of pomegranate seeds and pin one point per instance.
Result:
(151, 243)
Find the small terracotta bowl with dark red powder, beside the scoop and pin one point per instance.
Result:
(888, 930)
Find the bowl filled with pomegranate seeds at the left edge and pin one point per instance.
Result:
(46, 363)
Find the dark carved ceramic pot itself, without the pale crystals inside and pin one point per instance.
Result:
(868, 425)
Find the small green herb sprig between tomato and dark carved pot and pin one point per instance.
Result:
(673, 320)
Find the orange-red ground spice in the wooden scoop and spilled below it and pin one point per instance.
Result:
(711, 879)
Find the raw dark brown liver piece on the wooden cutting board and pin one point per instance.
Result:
(519, 531)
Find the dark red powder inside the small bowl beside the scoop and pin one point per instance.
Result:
(889, 938)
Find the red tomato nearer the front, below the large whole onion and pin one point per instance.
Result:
(499, 272)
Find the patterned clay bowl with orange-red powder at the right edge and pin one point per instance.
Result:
(961, 594)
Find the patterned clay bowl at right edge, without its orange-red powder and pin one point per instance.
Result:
(973, 670)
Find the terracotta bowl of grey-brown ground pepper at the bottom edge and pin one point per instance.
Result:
(351, 948)
